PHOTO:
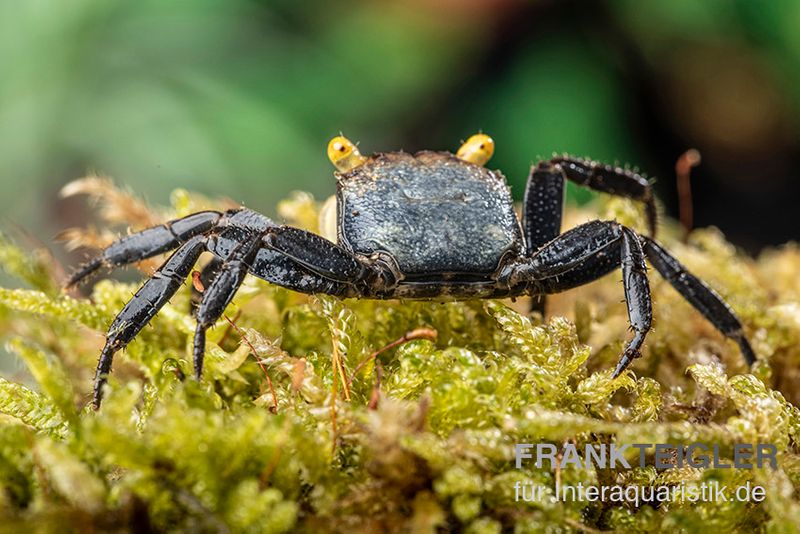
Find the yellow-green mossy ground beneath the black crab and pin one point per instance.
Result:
(434, 450)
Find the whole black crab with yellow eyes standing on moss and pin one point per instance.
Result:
(430, 225)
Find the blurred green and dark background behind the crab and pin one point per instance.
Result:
(239, 98)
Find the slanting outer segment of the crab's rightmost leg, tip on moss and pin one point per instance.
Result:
(703, 298)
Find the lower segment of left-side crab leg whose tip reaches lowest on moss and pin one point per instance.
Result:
(150, 298)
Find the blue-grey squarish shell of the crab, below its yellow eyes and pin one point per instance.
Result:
(428, 213)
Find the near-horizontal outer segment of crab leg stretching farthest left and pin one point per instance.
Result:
(148, 243)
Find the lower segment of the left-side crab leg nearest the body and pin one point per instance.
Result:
(219, 294)
